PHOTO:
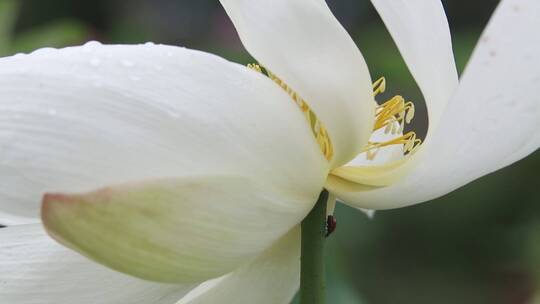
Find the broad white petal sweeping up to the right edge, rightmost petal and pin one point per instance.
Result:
(488, 125)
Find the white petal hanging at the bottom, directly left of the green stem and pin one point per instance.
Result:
(273, 278)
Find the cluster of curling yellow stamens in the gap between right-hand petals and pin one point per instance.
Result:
(392, 115)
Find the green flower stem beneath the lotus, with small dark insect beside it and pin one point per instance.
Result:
(312, 282)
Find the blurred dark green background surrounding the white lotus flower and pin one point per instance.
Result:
(480, 244)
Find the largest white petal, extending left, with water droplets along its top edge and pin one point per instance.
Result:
(77, 119)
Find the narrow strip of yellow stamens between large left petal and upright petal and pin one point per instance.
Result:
(317, 127)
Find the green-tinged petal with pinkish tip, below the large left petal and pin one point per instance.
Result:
(175, 230)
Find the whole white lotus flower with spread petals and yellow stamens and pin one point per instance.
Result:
(205, 168)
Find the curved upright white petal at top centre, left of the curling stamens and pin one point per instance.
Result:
(303, 43)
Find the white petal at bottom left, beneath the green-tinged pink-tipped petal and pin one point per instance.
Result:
(36, 270)
